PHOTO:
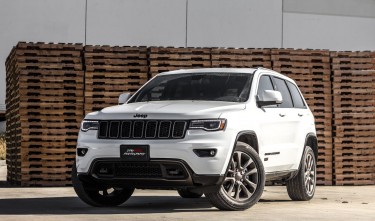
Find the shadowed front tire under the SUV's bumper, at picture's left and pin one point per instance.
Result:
(99, 196)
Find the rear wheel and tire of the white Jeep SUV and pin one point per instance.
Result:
(301, 187)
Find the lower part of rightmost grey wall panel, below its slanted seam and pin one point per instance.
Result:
(328, 32)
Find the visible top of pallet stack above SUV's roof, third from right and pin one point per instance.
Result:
(241, 58)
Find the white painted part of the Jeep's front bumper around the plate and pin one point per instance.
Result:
(176, 149)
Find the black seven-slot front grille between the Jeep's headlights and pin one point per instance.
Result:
(142, 129)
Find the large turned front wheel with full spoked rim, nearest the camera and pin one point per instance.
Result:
(248, 182)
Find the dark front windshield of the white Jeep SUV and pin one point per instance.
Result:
(232, 87)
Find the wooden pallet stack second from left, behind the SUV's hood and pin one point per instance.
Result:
(111, 71)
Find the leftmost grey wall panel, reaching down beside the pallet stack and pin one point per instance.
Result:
(38, 21)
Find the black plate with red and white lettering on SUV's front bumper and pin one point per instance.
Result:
(135, 152)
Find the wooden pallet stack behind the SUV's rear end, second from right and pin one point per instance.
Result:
(311, 71)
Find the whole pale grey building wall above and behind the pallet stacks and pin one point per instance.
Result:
(329, 24)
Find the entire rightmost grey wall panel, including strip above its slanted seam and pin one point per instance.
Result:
(329, 24)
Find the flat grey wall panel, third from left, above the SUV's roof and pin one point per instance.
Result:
(236, 23)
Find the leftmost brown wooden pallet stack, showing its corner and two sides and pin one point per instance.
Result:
(44, 109)
